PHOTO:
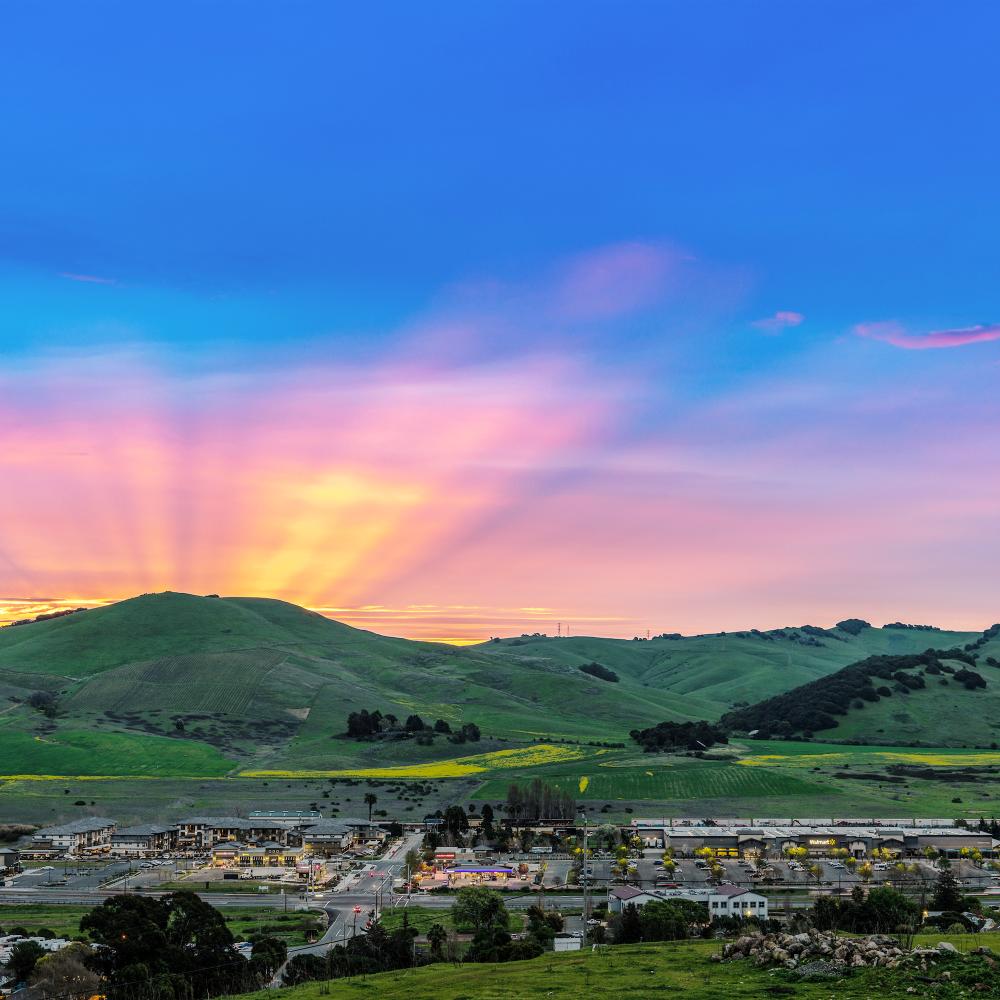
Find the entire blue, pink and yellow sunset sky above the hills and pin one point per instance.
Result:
(454, 320)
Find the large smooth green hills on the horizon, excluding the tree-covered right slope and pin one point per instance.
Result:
(175, 684)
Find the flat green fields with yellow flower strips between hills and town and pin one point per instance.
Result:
(755, 779)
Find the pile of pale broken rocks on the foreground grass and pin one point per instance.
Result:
(823, 953)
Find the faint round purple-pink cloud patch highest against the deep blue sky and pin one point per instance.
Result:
(615, 280)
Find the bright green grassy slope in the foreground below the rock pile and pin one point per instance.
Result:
(635, 971)
